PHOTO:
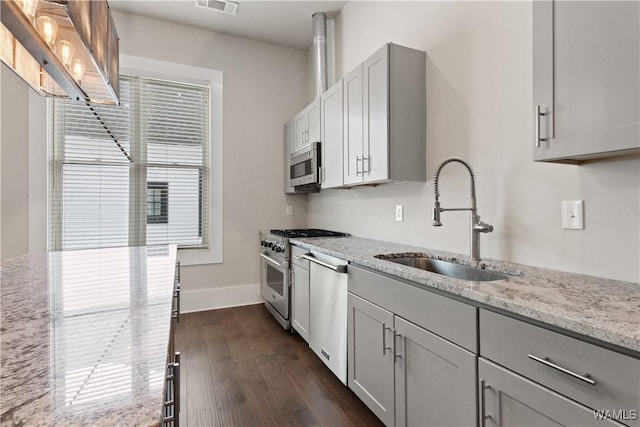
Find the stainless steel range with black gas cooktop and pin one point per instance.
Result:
(275, 255)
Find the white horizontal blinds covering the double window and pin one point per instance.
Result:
(133, 174)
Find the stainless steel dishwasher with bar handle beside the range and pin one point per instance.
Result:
(328, 311)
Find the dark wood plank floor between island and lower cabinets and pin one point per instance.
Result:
(240, 368)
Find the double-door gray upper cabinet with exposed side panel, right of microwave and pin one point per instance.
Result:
(384, 118)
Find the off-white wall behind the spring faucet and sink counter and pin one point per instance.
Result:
(479, 83)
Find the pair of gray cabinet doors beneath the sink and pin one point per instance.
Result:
(405, 374)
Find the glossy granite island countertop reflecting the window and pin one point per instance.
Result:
(84, 336)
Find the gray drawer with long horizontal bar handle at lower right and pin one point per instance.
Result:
(529, 350)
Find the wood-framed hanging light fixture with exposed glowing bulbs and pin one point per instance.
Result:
(65, 48)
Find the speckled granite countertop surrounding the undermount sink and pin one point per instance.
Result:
(603, 309)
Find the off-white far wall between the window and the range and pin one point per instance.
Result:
(264, 86)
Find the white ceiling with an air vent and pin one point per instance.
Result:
(286, 23)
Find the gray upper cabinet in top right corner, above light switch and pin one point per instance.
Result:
(586, 80)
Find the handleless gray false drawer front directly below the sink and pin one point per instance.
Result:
(448, 318)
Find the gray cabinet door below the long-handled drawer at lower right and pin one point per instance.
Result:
(511, 400)
